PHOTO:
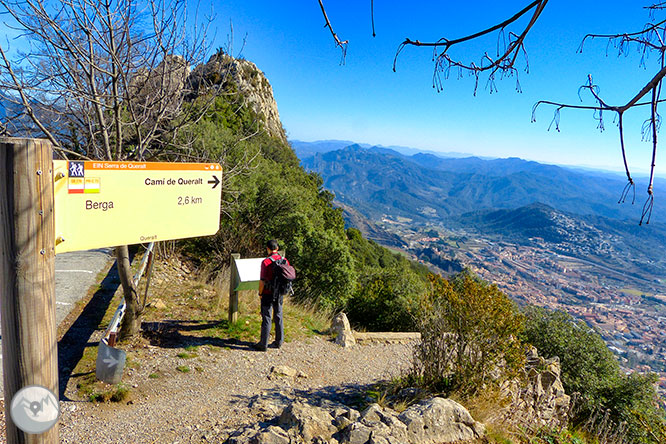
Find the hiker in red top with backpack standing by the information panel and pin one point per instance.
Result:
(273, 285)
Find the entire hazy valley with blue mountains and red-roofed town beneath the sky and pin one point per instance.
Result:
(545, 235)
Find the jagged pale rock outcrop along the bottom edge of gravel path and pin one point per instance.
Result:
(434, 421)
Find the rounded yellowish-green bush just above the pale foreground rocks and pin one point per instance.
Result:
(469, 336)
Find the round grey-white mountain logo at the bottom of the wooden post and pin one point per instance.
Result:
(34, 409)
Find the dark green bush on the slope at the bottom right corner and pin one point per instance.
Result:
(590, 369)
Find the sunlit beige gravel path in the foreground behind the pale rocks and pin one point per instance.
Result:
(226, 389)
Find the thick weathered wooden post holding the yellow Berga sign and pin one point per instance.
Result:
(27, 270)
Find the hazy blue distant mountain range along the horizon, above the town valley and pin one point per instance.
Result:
(425, 187)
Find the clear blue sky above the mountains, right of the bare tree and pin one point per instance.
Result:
(365, 101)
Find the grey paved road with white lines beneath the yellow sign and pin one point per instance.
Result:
(75, 274)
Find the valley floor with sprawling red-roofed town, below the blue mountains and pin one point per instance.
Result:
(613, 296)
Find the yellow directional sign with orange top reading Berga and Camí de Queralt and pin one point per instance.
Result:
(104, 204)
